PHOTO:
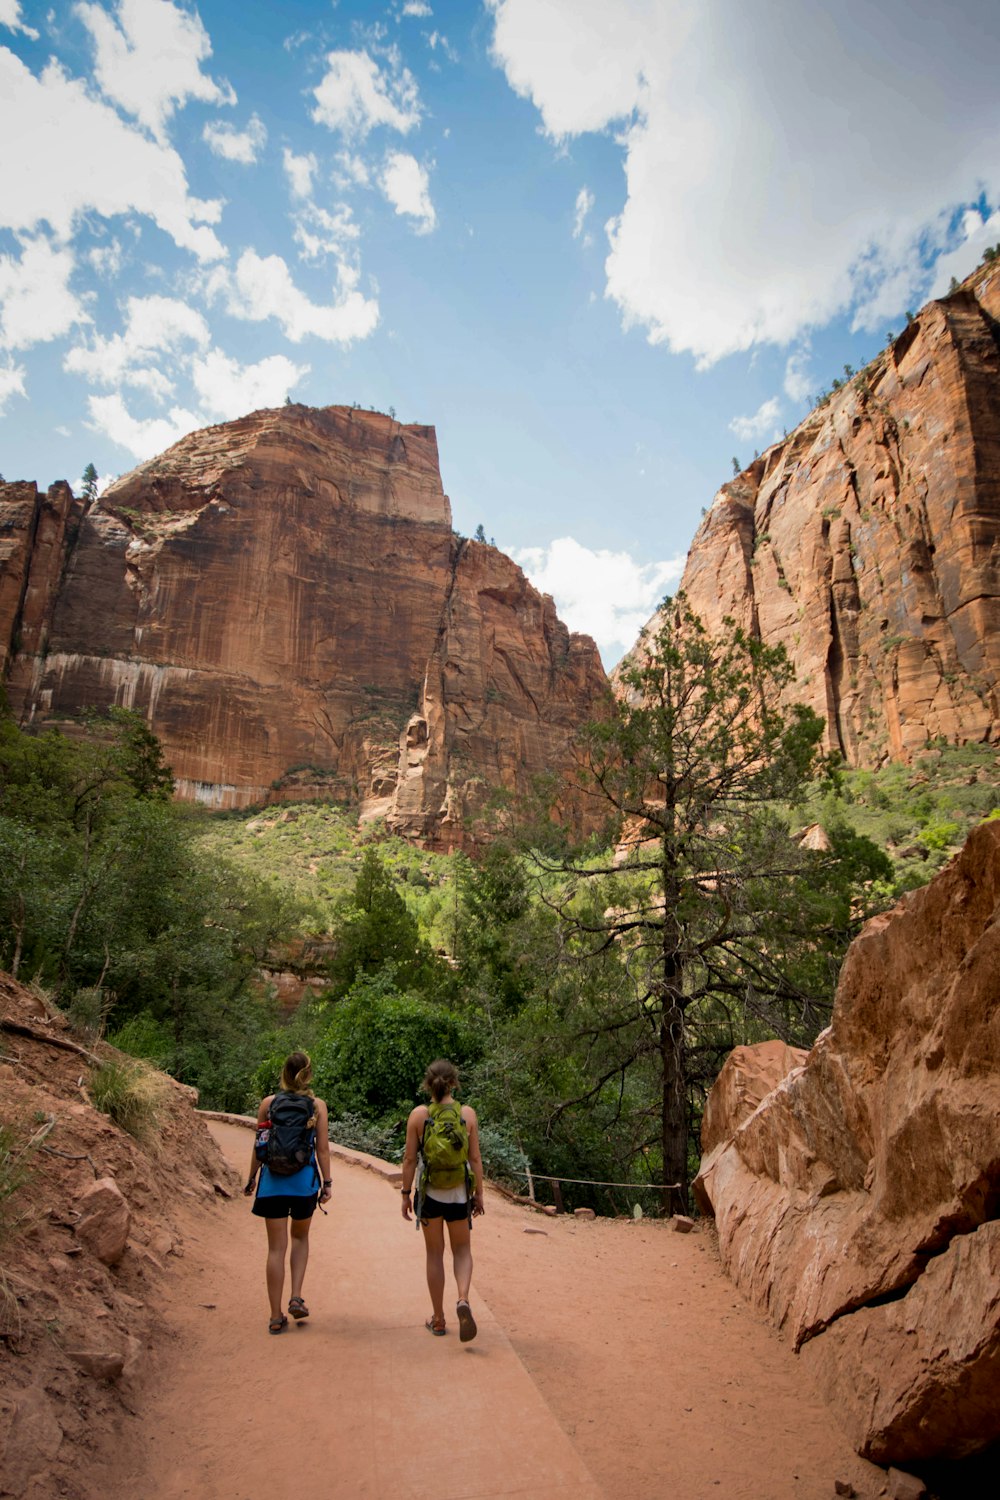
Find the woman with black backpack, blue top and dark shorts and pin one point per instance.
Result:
(292, 1151)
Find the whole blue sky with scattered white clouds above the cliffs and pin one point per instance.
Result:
(603, 247)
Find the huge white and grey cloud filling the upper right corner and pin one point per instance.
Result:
(753, 214)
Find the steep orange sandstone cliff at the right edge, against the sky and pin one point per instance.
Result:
(869, 542)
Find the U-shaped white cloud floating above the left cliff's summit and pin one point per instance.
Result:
(262, 287)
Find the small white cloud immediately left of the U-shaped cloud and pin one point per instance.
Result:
(155, 329)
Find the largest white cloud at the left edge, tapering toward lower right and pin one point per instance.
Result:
(80, 155)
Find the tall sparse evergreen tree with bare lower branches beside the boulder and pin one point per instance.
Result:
(690, 764)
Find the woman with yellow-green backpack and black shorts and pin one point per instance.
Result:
(443, 1159)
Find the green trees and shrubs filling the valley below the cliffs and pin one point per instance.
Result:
(587, 995)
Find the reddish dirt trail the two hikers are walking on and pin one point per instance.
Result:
(614, 1361)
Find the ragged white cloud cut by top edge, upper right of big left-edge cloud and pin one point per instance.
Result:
(151, 61)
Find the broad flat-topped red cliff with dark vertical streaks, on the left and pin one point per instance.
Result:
(287, 604)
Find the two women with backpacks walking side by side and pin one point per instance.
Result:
(443, 1162)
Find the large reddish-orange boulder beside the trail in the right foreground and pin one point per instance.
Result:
(858, 1204)
